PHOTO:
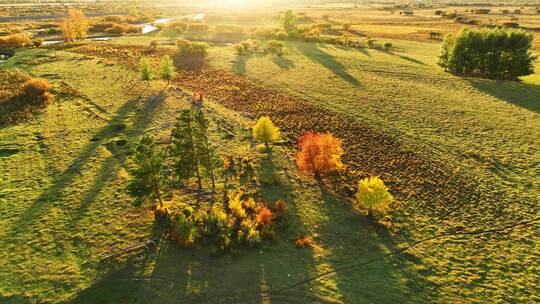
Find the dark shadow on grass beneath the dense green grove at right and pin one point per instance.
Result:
(517, 93)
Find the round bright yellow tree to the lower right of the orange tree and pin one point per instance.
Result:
(373, 195)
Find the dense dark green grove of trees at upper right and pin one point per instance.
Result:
(496, 54)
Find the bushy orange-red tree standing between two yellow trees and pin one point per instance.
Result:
(320, 153)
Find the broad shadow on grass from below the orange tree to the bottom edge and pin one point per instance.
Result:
(355, 249)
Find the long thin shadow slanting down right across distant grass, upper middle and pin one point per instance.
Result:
(314, 53)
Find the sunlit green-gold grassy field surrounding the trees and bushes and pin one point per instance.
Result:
(461, 155)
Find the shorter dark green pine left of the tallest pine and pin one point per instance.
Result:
(148, 175)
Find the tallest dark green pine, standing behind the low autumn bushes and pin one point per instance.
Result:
(191, 150)
